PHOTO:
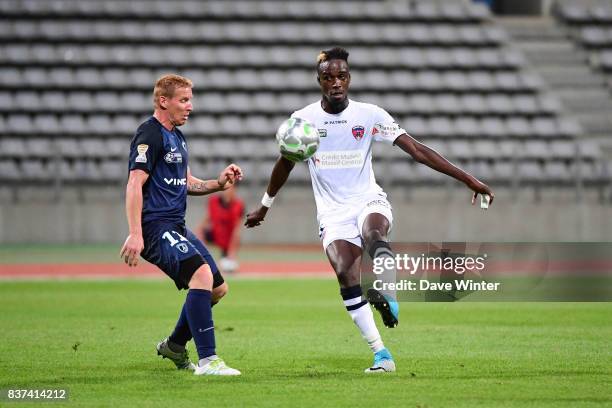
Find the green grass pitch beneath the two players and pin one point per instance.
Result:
(296, 346)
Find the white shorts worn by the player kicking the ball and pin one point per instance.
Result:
(349, 224)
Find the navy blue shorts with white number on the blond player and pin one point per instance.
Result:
(171, 246)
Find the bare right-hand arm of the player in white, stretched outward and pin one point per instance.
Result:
(433, 159)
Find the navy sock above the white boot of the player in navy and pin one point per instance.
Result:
(199, 316)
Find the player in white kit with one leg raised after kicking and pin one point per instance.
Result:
(352, 210)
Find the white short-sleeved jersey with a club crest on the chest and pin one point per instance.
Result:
(341, 169)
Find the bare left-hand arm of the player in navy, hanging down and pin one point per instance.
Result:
(134, 243)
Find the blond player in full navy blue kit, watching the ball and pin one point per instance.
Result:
(156, 198)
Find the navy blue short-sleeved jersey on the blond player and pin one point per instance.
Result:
(163, 155)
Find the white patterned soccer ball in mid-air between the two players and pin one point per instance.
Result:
(297, 139)
